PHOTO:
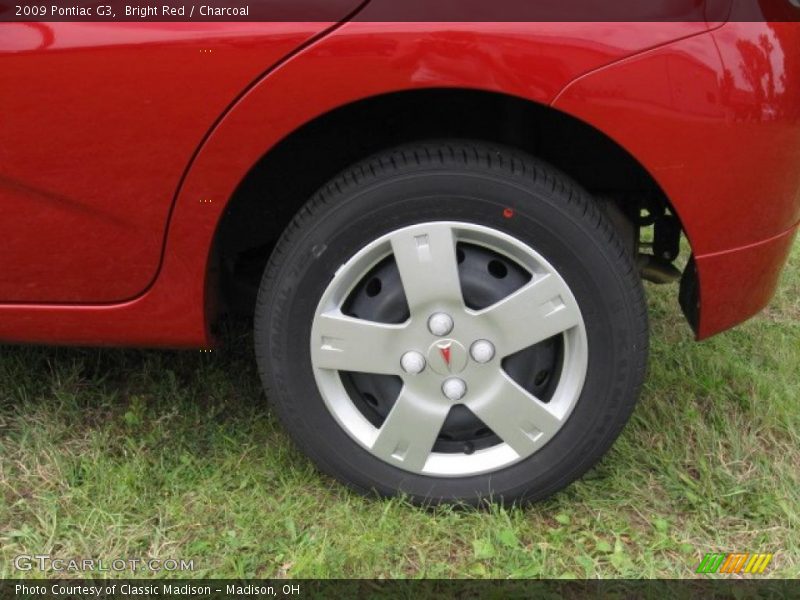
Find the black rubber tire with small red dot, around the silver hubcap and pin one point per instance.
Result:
(471, 182)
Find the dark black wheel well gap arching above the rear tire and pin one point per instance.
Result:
(289, 174)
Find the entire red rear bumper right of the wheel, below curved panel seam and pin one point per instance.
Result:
(715, 119)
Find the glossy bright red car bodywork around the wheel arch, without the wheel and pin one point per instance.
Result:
(122, 144)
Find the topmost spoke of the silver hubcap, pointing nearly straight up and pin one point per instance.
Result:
(426, 258)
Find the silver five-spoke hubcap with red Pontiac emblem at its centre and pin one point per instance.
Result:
(465, 367)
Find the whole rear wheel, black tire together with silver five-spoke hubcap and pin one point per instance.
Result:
(452, 322)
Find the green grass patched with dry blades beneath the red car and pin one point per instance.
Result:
(112, 453)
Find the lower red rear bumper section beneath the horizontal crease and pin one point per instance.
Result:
(736, 284)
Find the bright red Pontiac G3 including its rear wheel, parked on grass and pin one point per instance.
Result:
(439, 228)
